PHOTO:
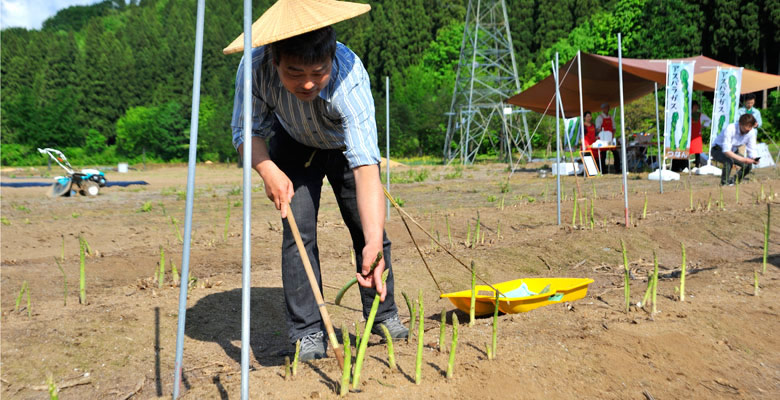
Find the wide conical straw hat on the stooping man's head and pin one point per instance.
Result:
(288, 18)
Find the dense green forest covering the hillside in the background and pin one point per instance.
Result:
(113, 81)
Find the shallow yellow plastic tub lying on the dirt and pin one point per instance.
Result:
(559, 290)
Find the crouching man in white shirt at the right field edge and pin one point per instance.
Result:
(724, 148)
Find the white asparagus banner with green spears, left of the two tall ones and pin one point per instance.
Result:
(679, 96)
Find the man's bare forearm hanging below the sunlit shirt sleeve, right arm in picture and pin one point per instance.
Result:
(370, 203)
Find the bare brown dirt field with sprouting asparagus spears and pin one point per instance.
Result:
(721, 342)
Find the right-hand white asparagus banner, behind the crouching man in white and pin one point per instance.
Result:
(726, 101)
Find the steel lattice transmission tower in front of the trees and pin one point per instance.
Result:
(487, 75)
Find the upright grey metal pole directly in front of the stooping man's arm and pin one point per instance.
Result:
(246, 283)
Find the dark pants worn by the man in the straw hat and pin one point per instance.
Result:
(306, 167)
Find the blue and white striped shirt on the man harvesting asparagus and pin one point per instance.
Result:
(341, 117)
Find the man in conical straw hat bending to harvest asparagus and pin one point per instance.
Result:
(312, 103)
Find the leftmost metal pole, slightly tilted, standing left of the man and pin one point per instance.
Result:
(185, 253)
